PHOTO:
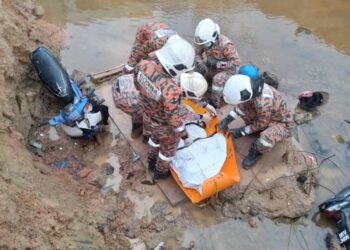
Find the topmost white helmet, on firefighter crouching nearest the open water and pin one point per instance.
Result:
(206, 32)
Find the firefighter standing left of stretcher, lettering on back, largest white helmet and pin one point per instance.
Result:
(161, 98)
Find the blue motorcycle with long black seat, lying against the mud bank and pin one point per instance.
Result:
(83, 114)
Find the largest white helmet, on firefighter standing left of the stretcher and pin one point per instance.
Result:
(176, 56)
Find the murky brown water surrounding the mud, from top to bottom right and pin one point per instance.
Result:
(305, 42)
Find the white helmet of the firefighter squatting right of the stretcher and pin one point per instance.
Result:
(238, 89)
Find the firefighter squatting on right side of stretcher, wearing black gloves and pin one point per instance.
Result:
(263, 110)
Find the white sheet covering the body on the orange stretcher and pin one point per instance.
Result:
(200, 161)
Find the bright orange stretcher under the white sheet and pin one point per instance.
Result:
(228, 175)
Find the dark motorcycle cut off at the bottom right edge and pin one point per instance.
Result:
(338, 209)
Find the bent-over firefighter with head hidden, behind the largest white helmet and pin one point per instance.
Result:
(149, 38)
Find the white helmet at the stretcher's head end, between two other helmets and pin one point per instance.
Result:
(193, 85)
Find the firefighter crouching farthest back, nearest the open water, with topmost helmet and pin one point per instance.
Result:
(216, 58)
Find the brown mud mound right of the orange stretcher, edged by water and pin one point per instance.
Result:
(277, 189)
